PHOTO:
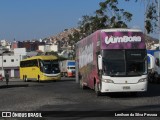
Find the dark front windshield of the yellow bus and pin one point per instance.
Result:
(49, 66)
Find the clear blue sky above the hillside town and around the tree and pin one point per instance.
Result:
(37, 19)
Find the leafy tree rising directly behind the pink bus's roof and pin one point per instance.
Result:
(107, 16)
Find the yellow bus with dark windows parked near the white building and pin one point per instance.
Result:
(40, 68)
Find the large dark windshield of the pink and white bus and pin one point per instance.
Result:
(124, 62)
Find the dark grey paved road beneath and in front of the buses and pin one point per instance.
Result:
(65, 95)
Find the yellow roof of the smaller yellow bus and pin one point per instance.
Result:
(44, 57)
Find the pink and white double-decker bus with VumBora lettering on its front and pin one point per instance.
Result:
(112, 60)
